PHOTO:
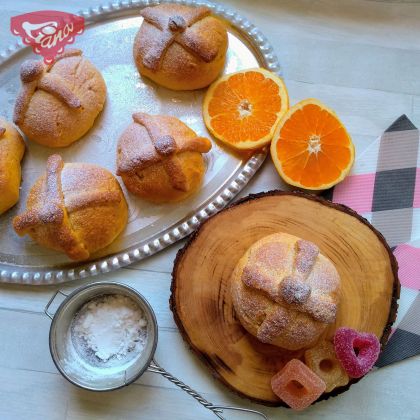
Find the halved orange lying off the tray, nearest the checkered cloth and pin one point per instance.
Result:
(311, 148)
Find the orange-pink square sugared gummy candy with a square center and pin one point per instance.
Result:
(297, 385)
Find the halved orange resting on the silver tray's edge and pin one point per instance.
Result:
(242, 109)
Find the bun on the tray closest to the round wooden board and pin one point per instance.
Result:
(159, 158)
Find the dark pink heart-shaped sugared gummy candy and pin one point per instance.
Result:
(356, 351)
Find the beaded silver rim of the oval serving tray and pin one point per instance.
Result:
(45, 276)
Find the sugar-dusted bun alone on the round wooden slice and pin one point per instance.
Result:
(285, 292)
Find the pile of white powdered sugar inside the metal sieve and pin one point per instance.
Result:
(109, 327)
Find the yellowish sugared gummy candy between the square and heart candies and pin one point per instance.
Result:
(322, 360)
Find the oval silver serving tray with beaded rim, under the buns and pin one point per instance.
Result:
(107, 42)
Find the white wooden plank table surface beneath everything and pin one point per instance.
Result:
(360, 57)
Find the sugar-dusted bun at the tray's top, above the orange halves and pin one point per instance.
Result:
(180, 47)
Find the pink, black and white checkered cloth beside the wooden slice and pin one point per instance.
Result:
(384, 187)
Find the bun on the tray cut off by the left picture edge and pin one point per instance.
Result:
(12, 149)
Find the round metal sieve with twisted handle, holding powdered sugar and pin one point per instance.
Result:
(104, 335)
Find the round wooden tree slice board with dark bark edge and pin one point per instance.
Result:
(201, 301)
